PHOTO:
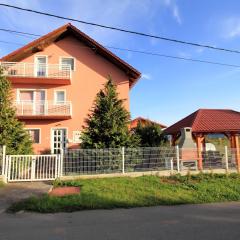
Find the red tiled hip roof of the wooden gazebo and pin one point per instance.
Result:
(208, 121)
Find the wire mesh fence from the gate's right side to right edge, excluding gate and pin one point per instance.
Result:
(124, 160)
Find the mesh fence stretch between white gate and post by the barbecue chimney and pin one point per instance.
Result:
(117, 160)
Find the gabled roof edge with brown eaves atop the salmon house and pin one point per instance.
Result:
(59, 33)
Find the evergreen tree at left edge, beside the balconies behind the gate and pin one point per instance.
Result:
(12, 133)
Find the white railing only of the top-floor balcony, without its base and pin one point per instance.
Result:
(32, 70)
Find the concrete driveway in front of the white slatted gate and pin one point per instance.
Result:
(13, 192)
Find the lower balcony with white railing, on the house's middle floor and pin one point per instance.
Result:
(43, 110)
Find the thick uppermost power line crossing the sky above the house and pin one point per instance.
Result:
(121, 29)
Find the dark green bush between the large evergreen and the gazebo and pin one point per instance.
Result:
(150, 135)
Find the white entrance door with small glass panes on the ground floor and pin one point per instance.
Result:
(59, 140)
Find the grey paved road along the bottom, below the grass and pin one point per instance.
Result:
(211, 221)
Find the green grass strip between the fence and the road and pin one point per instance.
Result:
(128, 192)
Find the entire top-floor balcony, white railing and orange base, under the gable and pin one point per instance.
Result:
(21, 72)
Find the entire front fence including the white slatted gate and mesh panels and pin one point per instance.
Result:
(115, 160)
